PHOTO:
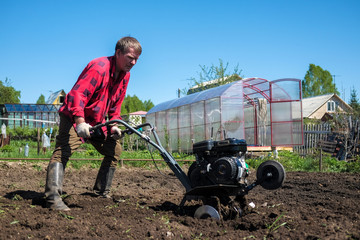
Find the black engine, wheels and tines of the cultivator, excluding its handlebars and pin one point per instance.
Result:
(219, 178)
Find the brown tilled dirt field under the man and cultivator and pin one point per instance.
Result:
(308, 206)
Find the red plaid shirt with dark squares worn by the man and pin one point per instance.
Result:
(96, 94)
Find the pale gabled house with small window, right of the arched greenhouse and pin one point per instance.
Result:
(323, 106)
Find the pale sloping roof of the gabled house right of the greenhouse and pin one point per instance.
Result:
(312, 104)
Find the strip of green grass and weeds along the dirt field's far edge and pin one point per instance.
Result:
(290, 160)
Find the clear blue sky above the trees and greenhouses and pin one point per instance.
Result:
(44, 45)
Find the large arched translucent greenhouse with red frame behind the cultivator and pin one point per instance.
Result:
(264, 113)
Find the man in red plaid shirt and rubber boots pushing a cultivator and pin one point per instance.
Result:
(97, 94)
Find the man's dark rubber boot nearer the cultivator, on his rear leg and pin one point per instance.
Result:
(103, 181)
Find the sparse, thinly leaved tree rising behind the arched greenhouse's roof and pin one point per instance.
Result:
(211, 77)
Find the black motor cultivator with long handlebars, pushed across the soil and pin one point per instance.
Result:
(218, 177)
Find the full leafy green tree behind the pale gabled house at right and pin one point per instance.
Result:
(318, 82)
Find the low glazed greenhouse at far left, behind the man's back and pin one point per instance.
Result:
(30, 115)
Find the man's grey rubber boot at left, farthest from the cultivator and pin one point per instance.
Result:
(53, 187)
